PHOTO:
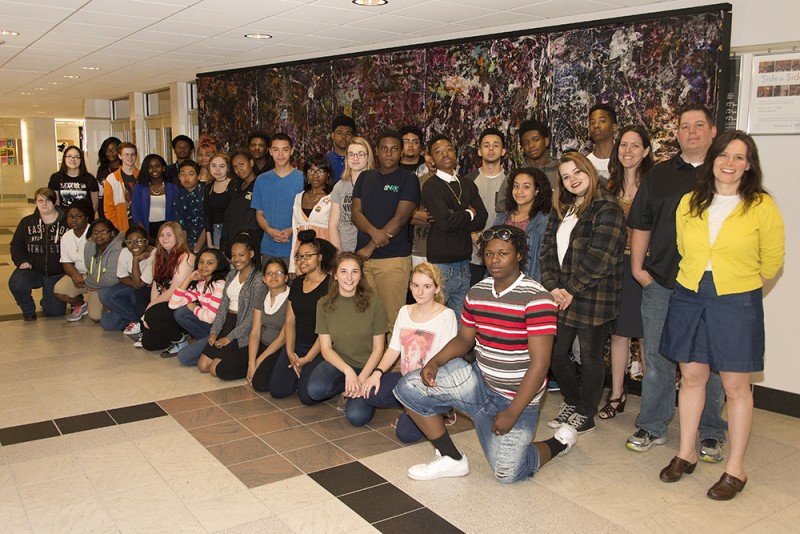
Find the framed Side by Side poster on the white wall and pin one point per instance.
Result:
(775, 94)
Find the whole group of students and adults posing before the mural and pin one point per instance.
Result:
(529, 272)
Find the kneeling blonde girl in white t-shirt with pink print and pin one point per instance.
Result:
(421, 330)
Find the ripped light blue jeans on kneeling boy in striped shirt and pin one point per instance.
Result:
(460, 385)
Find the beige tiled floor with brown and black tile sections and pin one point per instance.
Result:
(115, 439)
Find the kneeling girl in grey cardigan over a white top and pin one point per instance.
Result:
(231, 328)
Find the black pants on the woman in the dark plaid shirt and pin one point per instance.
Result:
(585, 392)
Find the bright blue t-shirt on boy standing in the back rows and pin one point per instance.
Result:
(274, 196)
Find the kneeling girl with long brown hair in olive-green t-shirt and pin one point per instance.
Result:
(351, 324)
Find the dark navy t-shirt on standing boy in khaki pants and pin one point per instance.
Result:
(380, 194)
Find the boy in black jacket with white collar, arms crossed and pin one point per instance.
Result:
(457, 210)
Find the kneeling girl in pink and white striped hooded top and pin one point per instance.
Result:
(196, 302)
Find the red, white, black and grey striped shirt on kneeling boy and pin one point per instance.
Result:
(503, 324)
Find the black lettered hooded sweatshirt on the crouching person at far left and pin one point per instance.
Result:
(38, 243)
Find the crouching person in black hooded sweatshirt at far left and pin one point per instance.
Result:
(36, 251)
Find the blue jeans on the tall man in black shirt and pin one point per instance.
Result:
(658, 384)
